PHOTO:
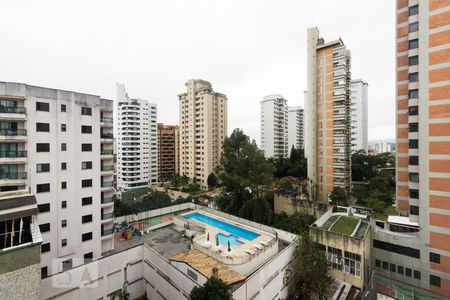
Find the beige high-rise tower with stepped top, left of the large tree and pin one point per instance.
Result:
(203, 128)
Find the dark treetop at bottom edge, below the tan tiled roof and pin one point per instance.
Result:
(213, 289)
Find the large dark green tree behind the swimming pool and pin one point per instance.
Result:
(243, 170)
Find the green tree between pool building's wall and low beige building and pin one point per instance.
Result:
(310, 275)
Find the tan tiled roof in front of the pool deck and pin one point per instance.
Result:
(204, 264)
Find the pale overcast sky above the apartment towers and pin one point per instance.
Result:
(246, 49)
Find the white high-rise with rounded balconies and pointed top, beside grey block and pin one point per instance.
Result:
(137, 150)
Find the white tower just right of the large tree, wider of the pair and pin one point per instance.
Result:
(274, 126)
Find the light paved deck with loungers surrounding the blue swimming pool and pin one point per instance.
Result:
(239, 253)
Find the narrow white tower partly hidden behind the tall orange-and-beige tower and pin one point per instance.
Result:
(359, 115)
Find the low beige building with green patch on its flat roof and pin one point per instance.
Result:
(343, 233)
